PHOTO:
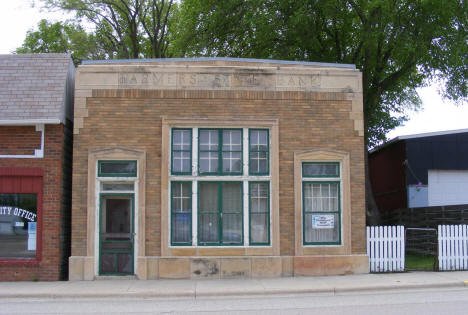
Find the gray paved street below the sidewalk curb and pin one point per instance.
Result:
(451, 301)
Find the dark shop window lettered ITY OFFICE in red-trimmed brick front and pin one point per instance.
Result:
(18, 217)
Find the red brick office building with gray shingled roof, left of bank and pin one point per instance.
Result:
(36, 112)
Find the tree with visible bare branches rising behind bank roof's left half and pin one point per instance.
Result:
(127, 28)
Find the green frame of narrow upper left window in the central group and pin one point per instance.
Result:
(179, 153)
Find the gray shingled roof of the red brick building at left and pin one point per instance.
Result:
(34, 86)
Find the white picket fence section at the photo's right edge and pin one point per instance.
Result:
(453, 247)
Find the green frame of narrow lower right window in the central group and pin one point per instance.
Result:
(255, 211)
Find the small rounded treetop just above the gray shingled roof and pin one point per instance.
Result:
(61, 37)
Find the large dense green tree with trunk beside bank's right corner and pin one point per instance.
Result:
(398, 45)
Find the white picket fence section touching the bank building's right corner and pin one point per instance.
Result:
(386, 248)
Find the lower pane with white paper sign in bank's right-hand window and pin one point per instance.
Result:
(321, 228)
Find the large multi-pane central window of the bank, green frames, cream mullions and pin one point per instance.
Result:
(220, 187)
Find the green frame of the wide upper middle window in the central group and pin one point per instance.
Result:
(219, 152)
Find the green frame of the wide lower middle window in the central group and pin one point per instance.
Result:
(219, 212)
